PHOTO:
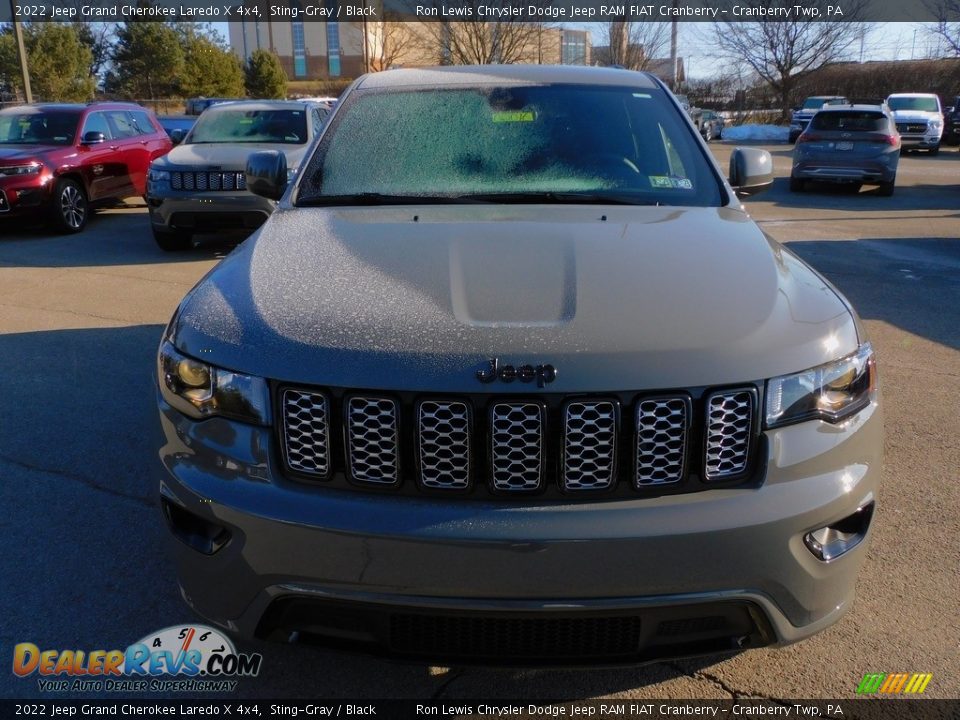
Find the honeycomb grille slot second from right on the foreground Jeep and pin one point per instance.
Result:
(661, 441)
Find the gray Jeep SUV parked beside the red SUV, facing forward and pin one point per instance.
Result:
(200, 185)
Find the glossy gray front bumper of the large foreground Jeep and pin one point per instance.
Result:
(296, 555)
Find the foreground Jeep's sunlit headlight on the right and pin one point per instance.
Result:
(828, 392)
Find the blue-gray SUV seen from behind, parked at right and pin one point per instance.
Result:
(851, 144)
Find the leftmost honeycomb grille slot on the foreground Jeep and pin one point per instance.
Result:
(306, 432)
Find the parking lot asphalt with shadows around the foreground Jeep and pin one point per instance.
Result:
(84, 564)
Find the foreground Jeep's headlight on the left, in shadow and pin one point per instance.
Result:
(201, 390)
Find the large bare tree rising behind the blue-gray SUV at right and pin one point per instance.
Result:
(783, 52)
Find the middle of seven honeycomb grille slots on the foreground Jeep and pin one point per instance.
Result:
(516, 445)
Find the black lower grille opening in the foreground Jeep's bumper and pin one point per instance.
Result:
(527, 638)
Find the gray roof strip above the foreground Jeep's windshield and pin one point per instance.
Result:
(507, 74)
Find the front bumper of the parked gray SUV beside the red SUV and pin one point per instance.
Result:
(206, 211)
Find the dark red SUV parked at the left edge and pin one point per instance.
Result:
(59, 160)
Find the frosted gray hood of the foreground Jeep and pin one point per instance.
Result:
(419, 298)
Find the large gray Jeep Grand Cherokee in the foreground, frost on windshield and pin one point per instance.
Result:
(501, 384)
